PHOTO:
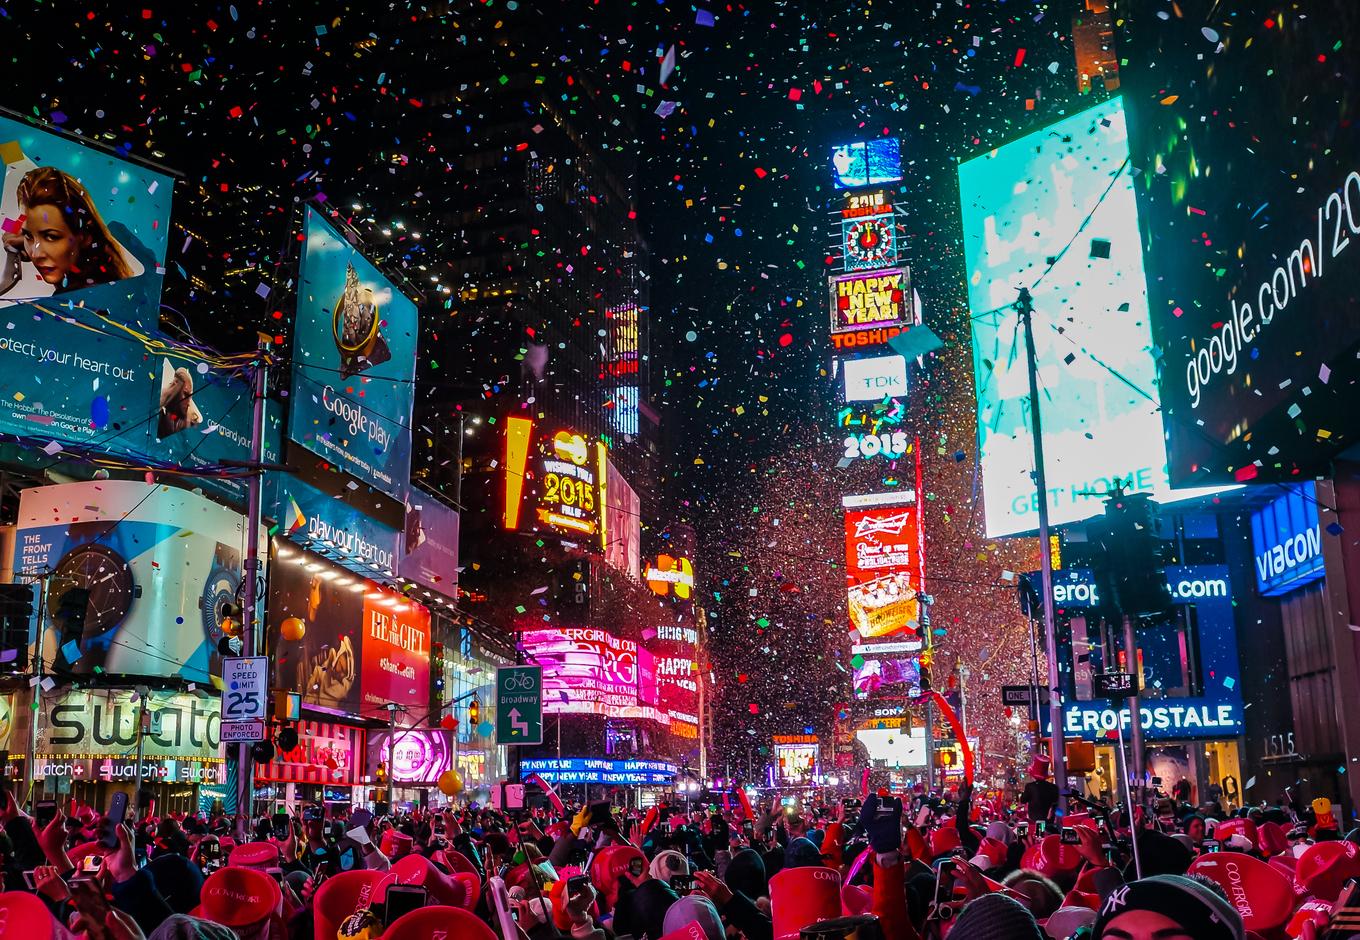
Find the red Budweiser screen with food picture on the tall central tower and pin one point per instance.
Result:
(883, 569)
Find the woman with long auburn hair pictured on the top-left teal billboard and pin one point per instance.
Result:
(62, 236)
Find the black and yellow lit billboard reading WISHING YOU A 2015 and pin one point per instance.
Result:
(556, 482)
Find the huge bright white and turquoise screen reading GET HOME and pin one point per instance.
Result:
(1023, 205)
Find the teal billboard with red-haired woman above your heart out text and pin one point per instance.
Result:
(85, 244)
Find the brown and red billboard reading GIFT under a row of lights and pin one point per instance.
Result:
(362, 645)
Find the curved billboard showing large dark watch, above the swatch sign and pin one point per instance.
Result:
(161, 567)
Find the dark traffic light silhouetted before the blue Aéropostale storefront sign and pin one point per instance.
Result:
(1131, 558)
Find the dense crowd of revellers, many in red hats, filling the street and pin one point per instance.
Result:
(900, 867)
